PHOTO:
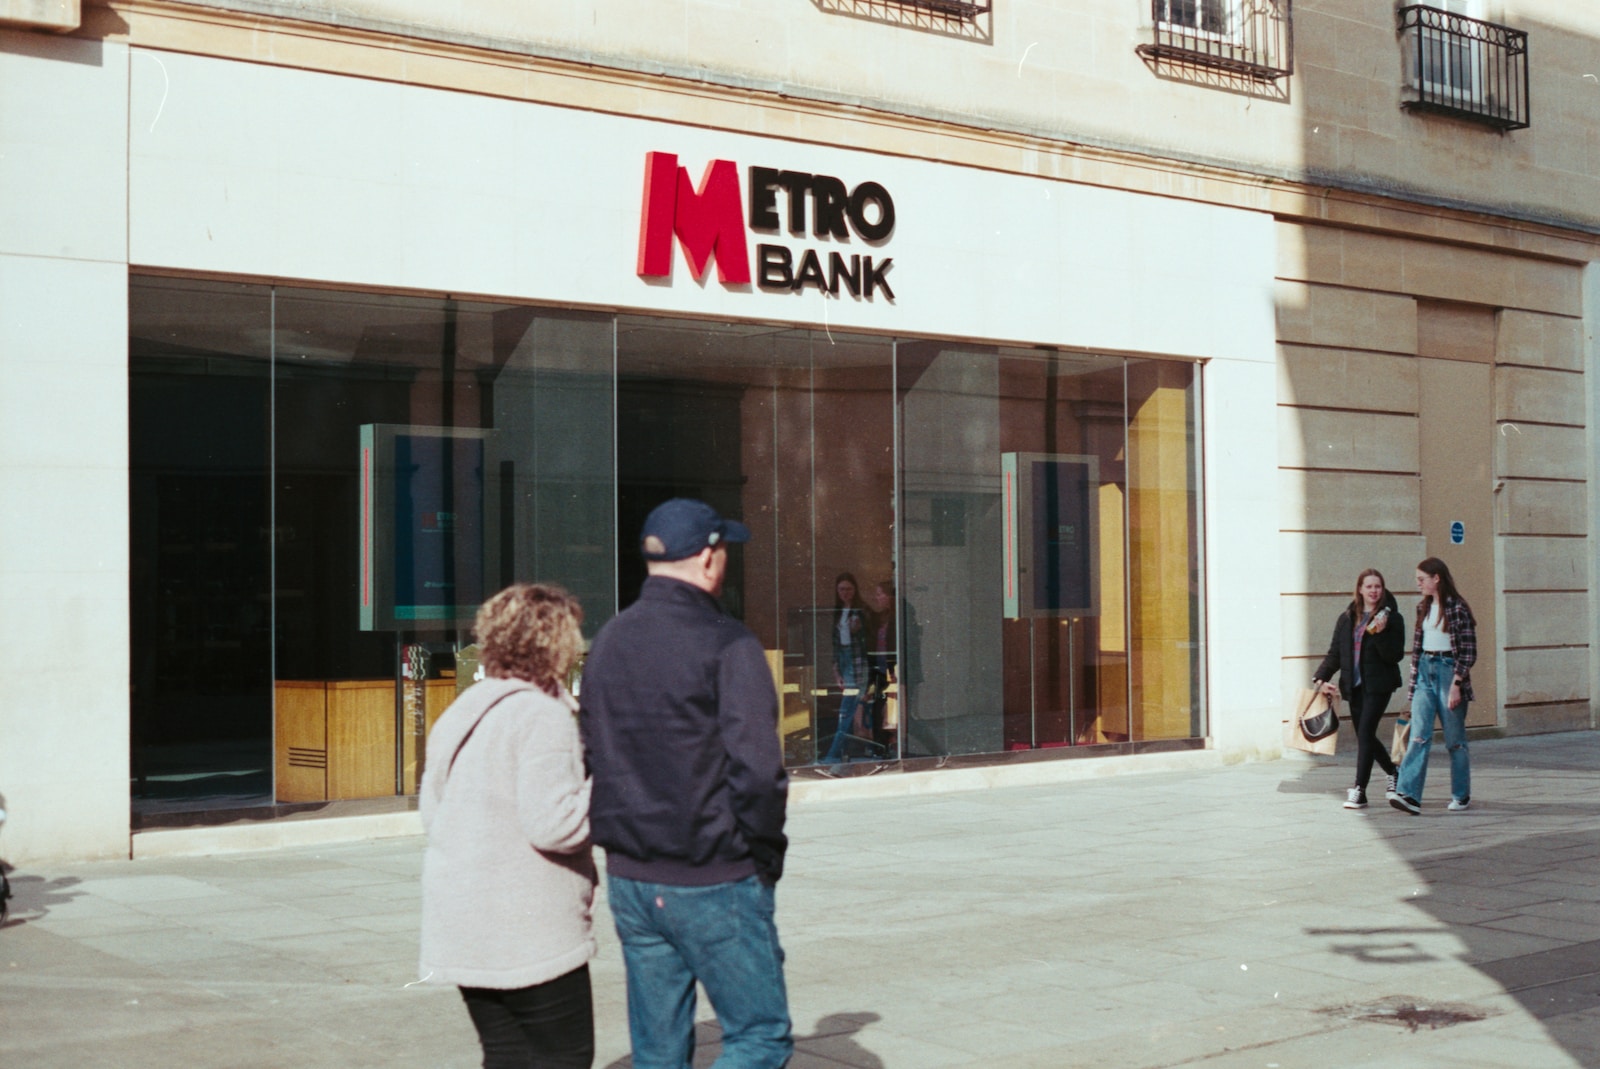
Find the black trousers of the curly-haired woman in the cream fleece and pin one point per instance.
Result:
(545, 1027)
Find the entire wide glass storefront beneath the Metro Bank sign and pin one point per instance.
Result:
(327, 484)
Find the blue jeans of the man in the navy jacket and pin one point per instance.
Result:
(724, 937)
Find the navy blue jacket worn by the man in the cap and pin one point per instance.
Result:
(681, 734)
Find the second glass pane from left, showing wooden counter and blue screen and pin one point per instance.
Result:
(471, 444)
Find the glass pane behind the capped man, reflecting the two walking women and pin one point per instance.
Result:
(791, 433)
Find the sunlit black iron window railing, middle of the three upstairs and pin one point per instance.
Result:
(1249, 38)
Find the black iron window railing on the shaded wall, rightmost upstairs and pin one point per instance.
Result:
(1465, 68)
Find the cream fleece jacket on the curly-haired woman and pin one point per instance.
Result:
(508, 876)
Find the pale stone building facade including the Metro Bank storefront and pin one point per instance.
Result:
(1100, 343)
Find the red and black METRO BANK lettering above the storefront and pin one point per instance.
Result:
(711, 223)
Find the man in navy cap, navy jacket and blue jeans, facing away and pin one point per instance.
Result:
(681, 729)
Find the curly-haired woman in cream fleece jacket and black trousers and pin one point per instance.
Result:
(508, 878)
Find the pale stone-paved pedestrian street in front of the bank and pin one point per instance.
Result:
(1231, 918)
